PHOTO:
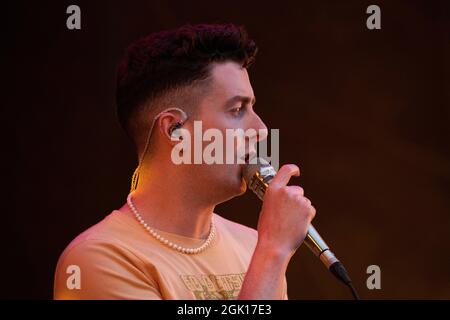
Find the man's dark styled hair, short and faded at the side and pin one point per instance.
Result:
(166, 61)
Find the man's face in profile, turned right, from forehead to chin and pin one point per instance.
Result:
(228, 104)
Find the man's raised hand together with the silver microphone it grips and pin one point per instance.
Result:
(286, 215)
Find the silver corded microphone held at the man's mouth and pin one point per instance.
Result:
(258, 176)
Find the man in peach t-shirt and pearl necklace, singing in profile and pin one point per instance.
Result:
(166, 242)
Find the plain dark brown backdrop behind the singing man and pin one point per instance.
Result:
(364, 113)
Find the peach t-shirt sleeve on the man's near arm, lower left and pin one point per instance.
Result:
(95, 269)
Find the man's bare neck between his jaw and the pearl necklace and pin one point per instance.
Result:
(168, 202)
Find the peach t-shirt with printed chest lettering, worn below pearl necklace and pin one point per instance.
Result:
(118, 259)
